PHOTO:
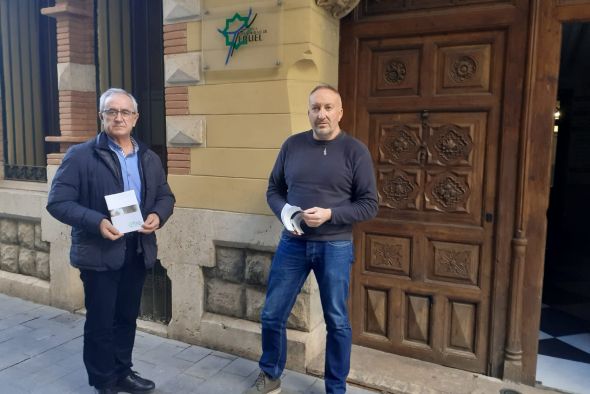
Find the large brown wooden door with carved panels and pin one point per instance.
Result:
(429, 102)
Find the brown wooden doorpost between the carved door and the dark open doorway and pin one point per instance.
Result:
(530, 230)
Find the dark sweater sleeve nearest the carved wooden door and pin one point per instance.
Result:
(363, 202)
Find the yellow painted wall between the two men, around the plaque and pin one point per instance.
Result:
(250, 113)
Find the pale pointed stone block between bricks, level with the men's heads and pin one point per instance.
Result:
(185, 130)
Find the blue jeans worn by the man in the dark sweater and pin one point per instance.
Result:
(331, 263)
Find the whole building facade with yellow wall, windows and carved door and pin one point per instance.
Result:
(455, 100)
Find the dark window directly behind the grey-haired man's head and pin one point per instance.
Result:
(130, 53)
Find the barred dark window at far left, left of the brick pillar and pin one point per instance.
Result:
(28, 74)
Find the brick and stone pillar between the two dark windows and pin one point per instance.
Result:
(77, 122)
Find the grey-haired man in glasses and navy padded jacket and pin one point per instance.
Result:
(112, 265)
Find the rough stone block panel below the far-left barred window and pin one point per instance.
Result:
(21, 249)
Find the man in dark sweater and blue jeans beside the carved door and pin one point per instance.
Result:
(322, 182)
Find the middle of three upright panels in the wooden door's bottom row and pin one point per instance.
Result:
(417, 319)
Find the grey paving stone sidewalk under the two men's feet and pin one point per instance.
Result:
(41, 352)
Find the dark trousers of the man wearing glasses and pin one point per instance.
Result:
(112, 300)
